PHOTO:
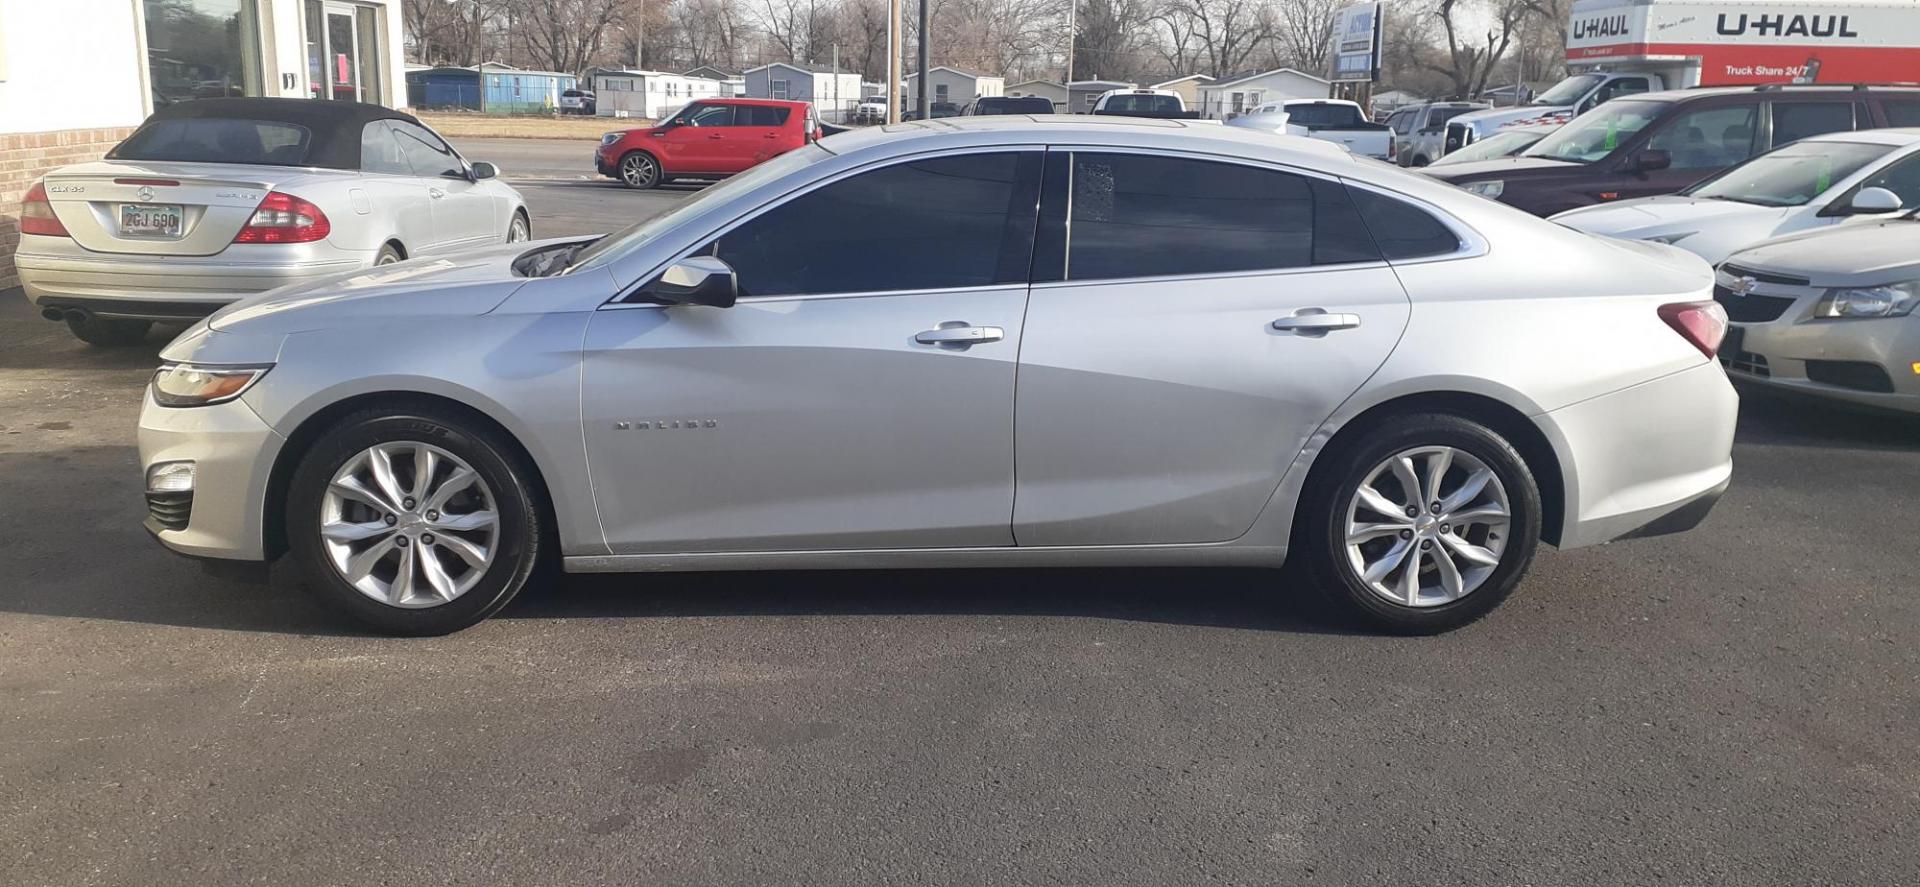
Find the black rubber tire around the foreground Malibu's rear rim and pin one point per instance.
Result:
(1320, 529)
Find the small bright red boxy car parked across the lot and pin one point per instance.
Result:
(708, 139)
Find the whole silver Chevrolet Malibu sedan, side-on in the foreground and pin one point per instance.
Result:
(984, 343)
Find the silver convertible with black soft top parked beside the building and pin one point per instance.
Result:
(231, 197)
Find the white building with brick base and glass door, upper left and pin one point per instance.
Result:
(80, 76)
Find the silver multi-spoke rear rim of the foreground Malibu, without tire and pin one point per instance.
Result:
(1428, 527)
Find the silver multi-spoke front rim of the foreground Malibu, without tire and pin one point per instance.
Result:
(410, 525)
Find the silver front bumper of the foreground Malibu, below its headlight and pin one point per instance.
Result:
(233, 454)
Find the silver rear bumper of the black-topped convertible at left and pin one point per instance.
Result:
(59, 274)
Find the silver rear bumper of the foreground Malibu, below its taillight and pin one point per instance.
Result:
(1646, 462)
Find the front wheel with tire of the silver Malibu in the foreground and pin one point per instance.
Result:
(414, 521)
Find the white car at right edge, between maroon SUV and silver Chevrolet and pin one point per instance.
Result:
(1800, 187)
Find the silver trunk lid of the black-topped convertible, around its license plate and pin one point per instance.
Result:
(214, 203)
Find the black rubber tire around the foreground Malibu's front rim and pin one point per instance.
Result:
(516, 496)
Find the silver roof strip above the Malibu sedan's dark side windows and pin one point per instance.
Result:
(1093, 130)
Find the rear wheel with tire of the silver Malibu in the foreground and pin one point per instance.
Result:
(1426, 525)
